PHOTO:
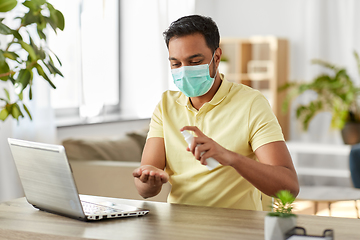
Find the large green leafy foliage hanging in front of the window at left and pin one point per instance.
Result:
(26, 53)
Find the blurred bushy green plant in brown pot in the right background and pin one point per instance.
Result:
(336, 93)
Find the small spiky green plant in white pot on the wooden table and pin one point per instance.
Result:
(281, 219)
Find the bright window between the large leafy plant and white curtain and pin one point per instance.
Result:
(89, 51)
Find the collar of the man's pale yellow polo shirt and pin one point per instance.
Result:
(218, 97)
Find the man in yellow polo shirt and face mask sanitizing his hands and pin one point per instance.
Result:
(234, 124)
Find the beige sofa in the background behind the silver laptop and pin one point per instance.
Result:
(104, 166)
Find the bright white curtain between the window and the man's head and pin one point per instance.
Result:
(145, 70)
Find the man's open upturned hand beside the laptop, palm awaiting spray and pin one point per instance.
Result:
(150, 175)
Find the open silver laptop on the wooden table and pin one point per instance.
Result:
(49, 185)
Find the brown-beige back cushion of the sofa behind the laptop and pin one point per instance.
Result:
(124, 149)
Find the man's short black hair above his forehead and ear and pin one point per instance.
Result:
(194, 24)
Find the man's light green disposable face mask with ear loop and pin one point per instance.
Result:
(193, 81)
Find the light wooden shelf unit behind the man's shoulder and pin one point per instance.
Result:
(261, 62)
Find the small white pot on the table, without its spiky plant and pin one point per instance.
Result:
(276, 227)
